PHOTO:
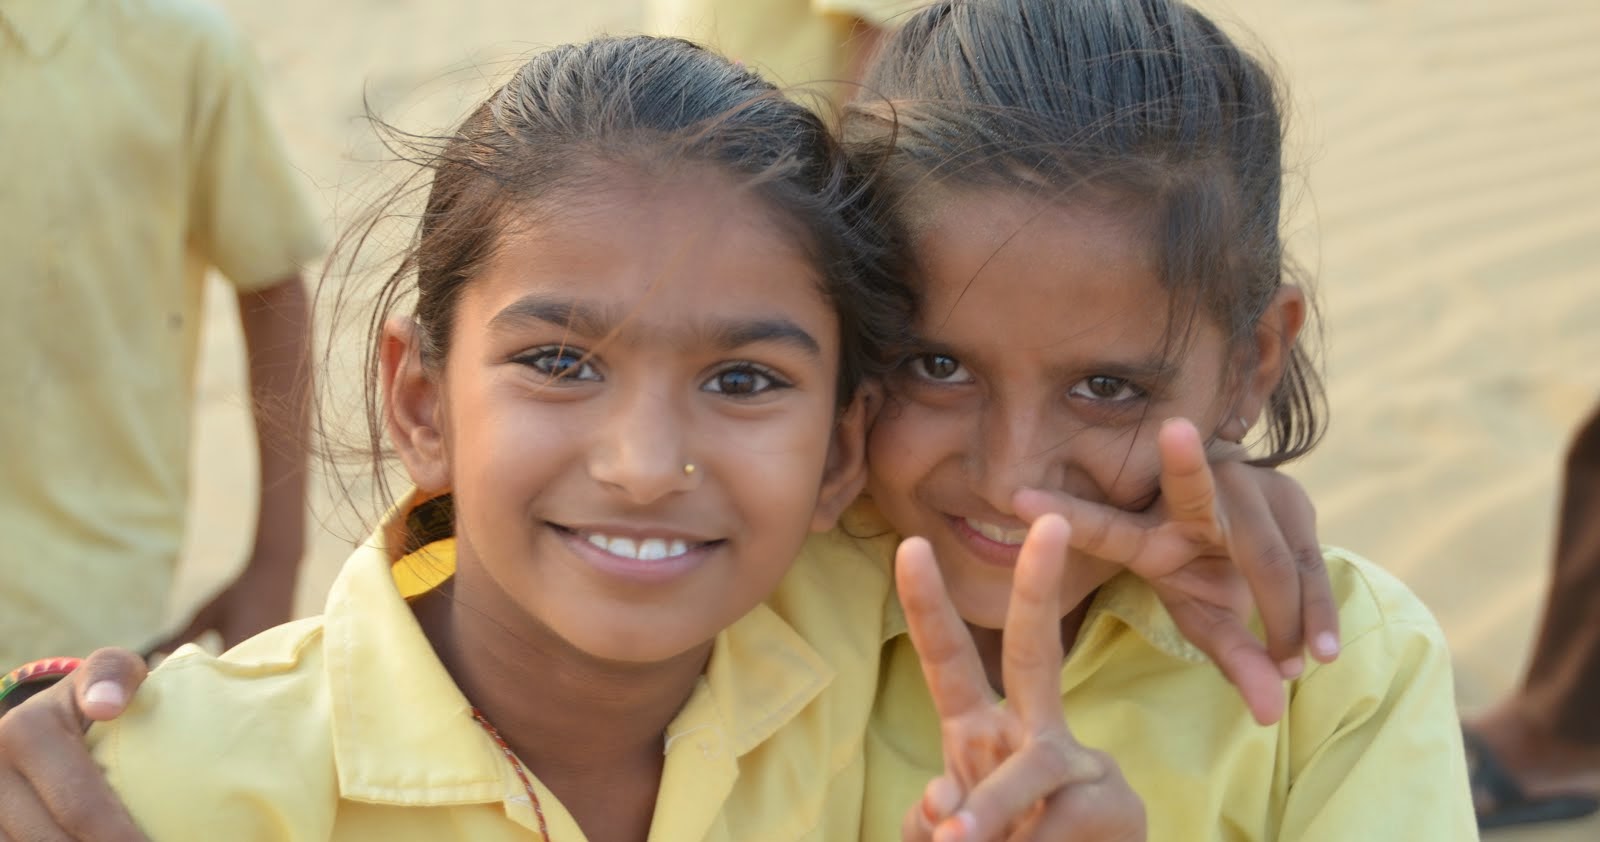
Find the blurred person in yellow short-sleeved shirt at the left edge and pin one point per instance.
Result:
(135, 154)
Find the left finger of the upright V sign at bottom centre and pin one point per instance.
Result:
(950, 660)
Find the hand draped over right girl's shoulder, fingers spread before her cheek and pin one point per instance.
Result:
(1215, 531)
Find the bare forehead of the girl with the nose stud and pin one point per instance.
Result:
(673, 262)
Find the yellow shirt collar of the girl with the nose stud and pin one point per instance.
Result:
(404, 732)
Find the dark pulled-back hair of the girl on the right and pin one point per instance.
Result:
(1143, 106)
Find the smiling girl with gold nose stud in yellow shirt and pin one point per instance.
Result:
(646, 303)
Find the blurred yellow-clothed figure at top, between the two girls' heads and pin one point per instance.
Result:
(791, 42)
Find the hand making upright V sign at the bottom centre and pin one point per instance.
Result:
(1014, 772)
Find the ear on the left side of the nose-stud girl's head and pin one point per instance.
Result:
(414, 407)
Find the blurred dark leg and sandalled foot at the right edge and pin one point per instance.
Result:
(1537, 753)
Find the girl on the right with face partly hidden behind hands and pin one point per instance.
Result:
(1094, 196)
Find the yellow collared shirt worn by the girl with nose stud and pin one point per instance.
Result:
(346, 728)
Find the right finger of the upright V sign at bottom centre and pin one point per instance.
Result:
(1033, 652)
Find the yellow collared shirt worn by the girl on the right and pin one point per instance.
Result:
(1370, 748)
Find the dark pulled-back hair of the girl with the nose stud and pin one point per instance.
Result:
(575, 116)
